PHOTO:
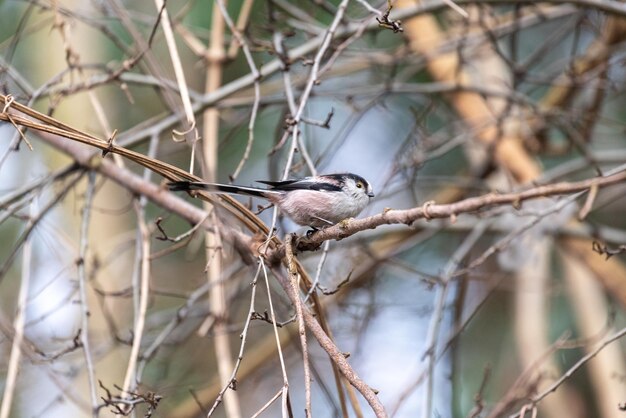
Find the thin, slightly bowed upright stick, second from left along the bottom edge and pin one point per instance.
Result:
(82, 291)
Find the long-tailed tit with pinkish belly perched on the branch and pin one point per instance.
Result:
(316, 201)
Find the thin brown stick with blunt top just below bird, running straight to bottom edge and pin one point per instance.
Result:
(295, 289)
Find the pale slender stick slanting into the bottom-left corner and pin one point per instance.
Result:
(18, 323)
